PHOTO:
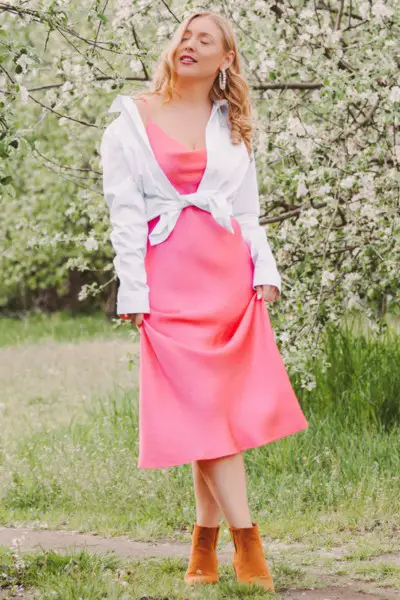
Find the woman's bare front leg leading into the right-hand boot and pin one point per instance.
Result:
(226, 479)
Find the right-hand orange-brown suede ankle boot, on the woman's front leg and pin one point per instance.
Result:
(248, 558)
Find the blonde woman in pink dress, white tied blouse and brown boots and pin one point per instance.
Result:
(194, 267)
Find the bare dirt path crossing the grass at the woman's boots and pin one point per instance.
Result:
(336, 587)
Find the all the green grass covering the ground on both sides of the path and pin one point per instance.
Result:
(336, 482)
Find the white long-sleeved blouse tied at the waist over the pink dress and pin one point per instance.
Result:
(136, 190)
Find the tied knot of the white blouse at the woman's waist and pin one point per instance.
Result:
(213, 202)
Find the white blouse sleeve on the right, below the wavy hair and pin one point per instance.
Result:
(246, 210)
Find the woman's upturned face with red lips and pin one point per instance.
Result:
(202, 41)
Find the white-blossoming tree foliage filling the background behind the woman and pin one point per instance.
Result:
(325, 85)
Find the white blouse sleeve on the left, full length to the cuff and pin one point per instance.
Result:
(129, 228)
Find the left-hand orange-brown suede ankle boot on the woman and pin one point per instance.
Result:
(203, 563)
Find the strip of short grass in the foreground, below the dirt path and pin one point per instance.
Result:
(80, 574)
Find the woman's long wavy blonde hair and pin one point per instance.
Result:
(236, 91)
